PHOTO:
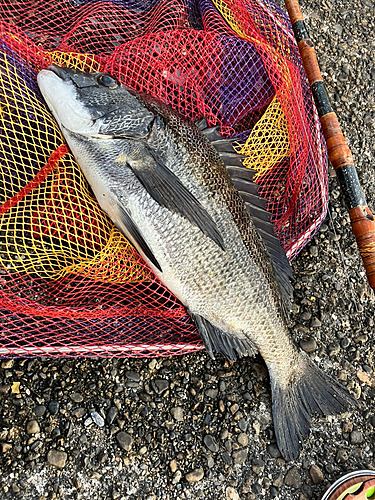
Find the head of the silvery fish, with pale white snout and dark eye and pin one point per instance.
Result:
(94, 104)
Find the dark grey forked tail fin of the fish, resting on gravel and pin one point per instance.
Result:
(293, 407)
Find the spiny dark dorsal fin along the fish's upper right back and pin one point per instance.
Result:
(242, 178)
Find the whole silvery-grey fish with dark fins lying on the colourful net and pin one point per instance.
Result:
(182, 197)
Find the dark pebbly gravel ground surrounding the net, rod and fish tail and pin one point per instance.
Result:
(188, 427)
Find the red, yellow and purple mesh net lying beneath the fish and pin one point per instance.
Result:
(70, 283)
